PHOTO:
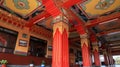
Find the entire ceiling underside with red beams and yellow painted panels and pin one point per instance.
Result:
(90, 12)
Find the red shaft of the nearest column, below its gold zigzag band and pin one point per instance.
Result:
(60, 49)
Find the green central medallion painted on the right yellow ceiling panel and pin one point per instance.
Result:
(104, 4)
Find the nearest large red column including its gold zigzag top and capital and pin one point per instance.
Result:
(60, 55)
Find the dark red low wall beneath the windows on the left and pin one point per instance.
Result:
(23, 60)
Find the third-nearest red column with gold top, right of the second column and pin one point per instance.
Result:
(96, 54)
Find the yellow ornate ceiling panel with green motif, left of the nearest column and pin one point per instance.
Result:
(22, 7)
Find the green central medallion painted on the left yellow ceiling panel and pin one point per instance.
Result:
(21, 4)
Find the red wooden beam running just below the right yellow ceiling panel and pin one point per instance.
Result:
(102, 19)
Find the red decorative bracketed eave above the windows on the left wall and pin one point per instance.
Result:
(20, 23)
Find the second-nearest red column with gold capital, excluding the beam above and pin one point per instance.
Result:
(85, 50)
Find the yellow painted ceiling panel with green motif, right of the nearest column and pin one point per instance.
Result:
(93, 8)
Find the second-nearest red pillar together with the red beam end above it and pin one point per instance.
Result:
(86, 57)
